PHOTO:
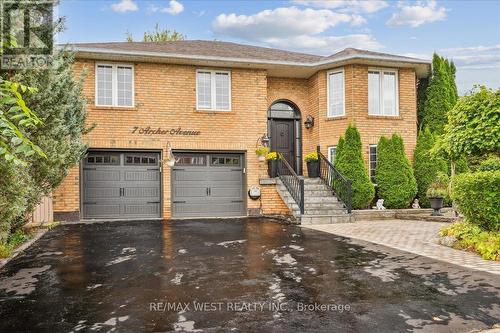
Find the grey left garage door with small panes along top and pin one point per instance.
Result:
(115, 187)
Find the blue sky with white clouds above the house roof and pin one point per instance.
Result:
(468, 32)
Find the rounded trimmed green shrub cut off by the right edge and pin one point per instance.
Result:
(477, 196)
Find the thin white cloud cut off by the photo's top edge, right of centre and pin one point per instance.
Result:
(355, 6)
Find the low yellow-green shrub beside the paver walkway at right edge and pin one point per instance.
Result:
(471, 237)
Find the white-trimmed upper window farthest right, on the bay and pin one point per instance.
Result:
(383, 92)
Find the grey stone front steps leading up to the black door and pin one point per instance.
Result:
(321, 206)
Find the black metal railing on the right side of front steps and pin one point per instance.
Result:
(338, 183)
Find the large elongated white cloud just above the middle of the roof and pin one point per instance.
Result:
(280, 22)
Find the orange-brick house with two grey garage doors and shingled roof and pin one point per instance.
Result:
(211, 104)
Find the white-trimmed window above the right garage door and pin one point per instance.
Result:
(213, 90)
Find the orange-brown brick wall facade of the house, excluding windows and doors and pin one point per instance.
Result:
(165, 95)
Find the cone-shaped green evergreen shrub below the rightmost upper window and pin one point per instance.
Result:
(394, 175)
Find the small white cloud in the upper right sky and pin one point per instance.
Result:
(418, 14)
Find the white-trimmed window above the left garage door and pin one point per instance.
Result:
(114, 85)
